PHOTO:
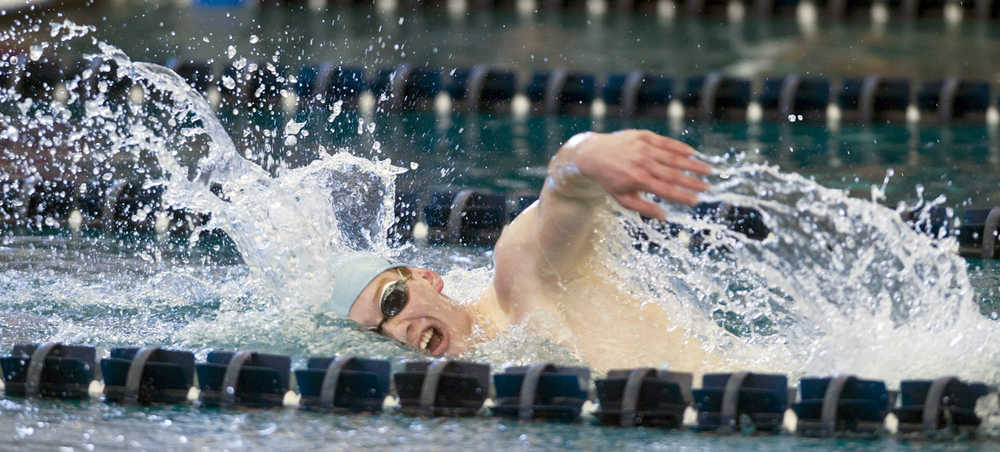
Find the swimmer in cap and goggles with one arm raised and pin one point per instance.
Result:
(546, 274)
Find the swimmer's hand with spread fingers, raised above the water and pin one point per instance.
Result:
(624, 165)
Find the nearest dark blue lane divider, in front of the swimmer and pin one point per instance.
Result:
(737, 402)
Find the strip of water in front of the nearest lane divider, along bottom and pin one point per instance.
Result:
(103, 427)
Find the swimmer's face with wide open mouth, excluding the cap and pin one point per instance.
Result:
(429, 322)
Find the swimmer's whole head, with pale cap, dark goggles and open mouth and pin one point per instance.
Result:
(403, 303)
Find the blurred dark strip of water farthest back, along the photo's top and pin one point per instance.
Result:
(362, 35)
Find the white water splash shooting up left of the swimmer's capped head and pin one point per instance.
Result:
(287, 226)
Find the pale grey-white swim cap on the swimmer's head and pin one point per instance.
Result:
(354, 272)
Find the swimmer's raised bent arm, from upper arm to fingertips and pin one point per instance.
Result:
(550, 239)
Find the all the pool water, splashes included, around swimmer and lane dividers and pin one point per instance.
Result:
(112, 290)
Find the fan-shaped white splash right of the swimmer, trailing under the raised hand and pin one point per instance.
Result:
(840, 285)
